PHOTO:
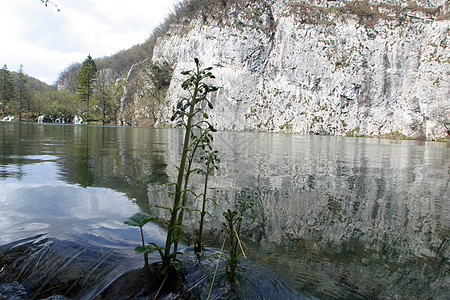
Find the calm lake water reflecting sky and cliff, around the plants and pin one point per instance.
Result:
(332, 217)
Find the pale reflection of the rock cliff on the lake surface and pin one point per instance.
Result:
(370, 214)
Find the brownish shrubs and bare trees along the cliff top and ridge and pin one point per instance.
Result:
(368, 13)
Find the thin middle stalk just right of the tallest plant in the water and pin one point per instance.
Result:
(211, 160)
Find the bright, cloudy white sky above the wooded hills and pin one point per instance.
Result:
(45, 42)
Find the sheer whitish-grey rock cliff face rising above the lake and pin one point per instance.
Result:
(321, 69)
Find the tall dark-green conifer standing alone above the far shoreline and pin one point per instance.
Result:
(86, 80)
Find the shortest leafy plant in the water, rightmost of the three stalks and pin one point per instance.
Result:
(232, 225)
